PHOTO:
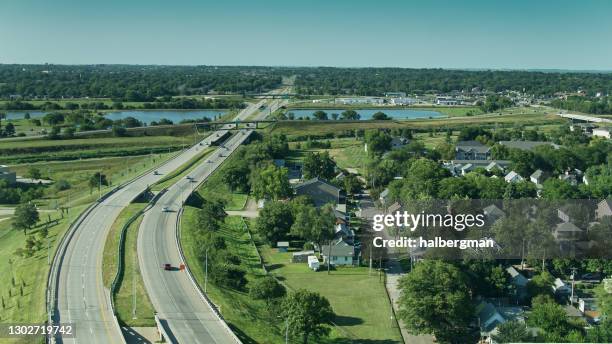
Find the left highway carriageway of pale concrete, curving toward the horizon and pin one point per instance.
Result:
(76, 291)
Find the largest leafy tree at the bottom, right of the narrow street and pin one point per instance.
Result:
(435, 299)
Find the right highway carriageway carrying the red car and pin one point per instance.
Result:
(174, 295)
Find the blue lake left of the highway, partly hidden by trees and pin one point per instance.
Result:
(146, 116)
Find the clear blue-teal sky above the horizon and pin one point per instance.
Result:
(449, 34)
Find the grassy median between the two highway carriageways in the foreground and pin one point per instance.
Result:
(132, 280)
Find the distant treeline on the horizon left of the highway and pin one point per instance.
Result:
(131, 83)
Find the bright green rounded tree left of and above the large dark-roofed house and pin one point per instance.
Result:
(270, 182)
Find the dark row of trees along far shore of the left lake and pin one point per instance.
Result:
(160, 103)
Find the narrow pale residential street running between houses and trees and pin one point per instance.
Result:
(394, 273)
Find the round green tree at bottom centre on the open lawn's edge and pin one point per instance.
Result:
(306, 313)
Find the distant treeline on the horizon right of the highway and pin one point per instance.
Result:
(377, 81)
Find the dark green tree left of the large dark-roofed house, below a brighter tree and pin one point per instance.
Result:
(274, 221)
